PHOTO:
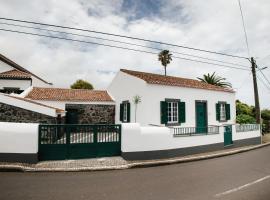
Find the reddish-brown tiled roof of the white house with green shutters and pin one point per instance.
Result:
(174, 81)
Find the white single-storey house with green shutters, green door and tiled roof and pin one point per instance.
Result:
(171, 101)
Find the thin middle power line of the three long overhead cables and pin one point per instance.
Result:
(128, 43)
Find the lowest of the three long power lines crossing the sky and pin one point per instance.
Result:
(119, 47)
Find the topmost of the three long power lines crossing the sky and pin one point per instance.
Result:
(122, 36)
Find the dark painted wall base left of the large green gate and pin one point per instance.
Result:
(19, 157)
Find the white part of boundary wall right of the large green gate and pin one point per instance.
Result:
(136, 138)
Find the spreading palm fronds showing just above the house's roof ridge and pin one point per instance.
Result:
(213, 79)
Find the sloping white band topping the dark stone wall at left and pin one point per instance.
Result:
(27, 105)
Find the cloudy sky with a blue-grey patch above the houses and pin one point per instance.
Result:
(206, 24)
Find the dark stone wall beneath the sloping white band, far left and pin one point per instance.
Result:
(10, 113)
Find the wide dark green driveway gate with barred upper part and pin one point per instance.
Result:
(75, 141)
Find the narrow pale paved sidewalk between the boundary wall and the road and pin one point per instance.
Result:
(113, 163)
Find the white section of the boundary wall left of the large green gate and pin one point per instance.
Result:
(18, 137)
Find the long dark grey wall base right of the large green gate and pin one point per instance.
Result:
(148, 155)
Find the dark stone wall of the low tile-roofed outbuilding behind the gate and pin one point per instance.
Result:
(94, 114)
